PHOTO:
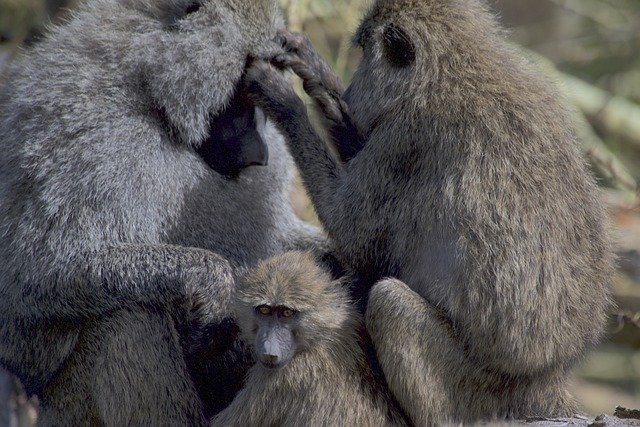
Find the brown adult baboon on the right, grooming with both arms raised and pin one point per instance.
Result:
(466, 186)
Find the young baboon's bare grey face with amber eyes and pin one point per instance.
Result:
(275, 342)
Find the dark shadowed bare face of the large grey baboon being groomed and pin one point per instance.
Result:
(236, 139)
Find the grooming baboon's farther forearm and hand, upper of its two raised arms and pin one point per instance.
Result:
(325, 88)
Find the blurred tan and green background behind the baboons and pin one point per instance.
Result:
(591, 48)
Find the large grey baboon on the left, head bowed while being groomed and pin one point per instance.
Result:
(120, 230)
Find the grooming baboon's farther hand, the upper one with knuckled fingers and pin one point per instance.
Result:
(319, 81)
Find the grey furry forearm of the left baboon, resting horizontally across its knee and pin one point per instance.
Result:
(122, 276)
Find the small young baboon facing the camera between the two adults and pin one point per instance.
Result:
(309, 344)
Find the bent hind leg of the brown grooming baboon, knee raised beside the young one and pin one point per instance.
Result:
(436, 380)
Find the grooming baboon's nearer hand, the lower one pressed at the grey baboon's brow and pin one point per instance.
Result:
(271, 91)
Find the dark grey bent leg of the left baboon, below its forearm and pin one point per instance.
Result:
(128, 369)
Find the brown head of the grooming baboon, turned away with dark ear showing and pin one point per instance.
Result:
(414, 53)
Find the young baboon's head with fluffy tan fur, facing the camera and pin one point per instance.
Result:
(287, 305)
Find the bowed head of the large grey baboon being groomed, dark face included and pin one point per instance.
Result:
(187, 57)
